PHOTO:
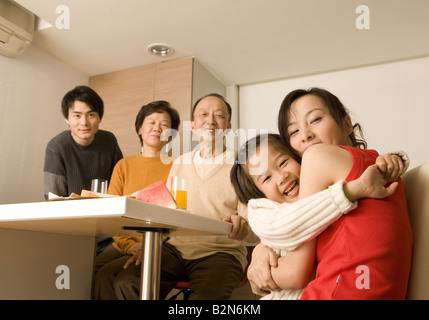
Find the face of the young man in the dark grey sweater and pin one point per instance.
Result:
(83, 122)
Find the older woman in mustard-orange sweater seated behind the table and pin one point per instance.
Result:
(132, 174)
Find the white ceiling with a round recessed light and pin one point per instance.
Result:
(239, 41)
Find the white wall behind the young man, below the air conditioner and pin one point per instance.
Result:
(31, 89)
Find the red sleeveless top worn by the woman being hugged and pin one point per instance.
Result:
(367, 253)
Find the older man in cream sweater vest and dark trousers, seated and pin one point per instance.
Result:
(213, 264)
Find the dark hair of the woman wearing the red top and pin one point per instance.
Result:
(337, 110)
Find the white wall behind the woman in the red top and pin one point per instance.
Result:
(390, 101)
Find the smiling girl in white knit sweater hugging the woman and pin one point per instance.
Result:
(266, 178)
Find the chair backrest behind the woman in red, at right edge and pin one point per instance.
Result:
(417, 184)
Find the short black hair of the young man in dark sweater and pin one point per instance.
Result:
(86, 95)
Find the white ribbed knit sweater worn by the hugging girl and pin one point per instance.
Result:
(285, 226)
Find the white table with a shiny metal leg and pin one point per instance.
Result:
(105, 217)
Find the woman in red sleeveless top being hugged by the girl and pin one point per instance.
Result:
(365, 254)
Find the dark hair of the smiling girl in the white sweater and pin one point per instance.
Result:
(240, 179)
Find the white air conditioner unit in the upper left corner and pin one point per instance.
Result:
(16, 28)
